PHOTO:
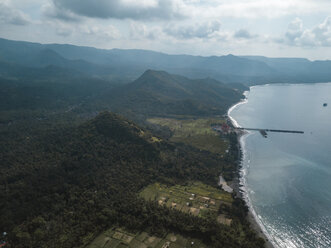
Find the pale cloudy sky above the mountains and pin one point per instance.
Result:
(273, 28)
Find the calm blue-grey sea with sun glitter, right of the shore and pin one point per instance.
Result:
(287, 177)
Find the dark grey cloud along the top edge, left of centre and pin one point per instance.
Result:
(121, 9)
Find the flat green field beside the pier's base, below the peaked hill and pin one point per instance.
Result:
(195, 132)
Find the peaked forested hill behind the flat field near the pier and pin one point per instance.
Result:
(158, 93)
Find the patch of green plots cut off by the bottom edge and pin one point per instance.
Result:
(119, 238)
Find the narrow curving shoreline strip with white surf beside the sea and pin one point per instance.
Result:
(238, 184)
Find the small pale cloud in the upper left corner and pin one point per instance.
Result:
(9, 15)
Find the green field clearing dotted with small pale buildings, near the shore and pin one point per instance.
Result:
(195, 198)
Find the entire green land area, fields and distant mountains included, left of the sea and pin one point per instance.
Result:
(70, 176)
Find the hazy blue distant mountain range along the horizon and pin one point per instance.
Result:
(129, 64)
